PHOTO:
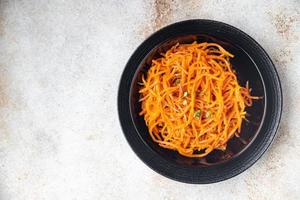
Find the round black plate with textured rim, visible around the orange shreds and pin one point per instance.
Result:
(251, 63)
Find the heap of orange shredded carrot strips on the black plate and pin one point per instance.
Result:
(191, 99)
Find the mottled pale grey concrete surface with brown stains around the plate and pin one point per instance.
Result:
(60, 63)
